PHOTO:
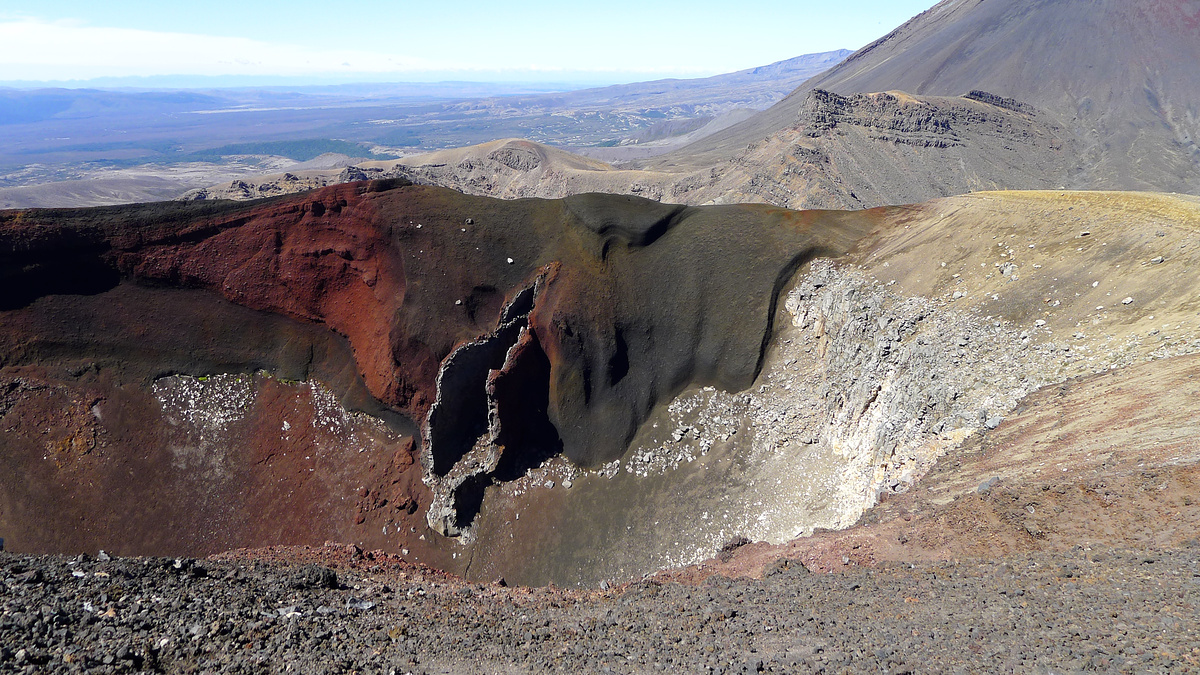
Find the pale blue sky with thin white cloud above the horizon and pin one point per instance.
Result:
(425, 41)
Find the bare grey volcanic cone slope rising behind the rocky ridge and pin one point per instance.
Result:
(1120, 75)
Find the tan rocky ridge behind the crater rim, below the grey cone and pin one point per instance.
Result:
(839, 152)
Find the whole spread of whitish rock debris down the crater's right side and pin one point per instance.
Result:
(860, 396)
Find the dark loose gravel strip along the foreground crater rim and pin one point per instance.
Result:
(353, 612)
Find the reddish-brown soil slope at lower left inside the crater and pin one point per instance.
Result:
(93, 467)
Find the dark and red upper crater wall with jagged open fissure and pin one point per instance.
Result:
(512, 331)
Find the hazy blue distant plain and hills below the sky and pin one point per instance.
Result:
(118, 146)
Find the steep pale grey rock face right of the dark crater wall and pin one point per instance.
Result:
(905, 379)
